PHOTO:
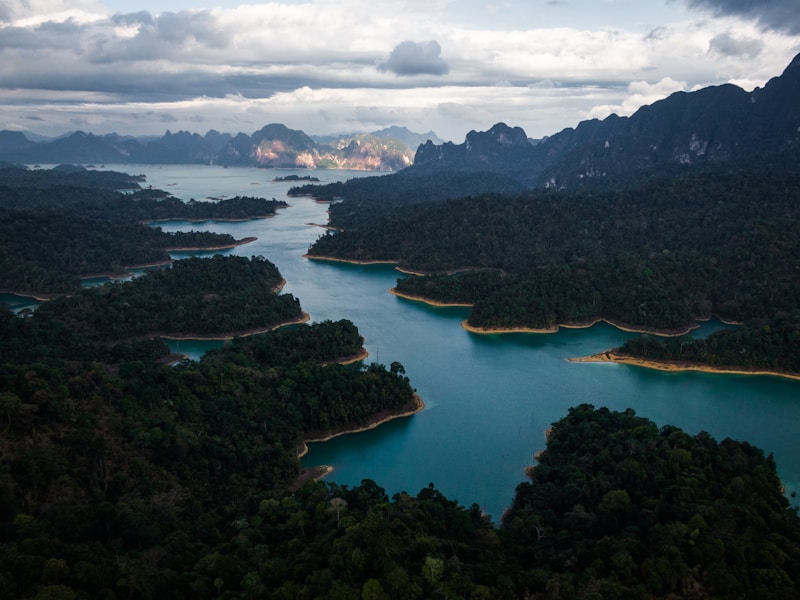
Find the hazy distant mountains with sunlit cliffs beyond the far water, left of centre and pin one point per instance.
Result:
(274, 145)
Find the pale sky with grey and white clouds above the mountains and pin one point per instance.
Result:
(333, 66)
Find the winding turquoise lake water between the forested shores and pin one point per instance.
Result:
(489, 398)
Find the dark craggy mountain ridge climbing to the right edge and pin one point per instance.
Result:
(714, 126)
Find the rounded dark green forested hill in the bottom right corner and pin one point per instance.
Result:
(618, 508)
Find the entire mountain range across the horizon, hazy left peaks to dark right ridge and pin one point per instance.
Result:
(712, 126)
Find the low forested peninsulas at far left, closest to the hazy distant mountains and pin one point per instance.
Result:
(61, 224)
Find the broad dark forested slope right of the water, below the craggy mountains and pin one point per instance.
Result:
(656, 257)
